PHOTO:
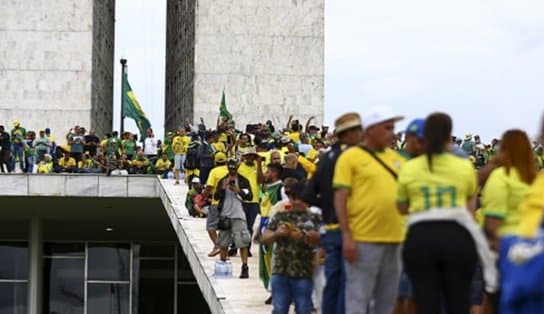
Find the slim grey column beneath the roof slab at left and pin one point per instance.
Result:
(35, 246)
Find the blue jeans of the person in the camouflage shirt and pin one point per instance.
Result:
(286, 289)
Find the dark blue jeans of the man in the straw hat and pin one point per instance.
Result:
(334, 292)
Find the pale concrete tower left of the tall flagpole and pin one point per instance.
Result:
(56, 64)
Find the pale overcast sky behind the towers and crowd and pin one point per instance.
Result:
(480, 61)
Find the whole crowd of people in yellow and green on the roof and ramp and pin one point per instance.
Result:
(400, 223)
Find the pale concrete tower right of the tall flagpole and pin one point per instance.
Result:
(268, 56)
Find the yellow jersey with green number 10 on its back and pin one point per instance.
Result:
(450, 184)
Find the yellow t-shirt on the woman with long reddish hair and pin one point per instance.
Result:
(501, 197)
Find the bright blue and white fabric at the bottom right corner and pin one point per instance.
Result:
(521, 263)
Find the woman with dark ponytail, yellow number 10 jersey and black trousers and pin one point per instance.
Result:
(439, 254)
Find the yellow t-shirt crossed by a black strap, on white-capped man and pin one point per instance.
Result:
(371, 209)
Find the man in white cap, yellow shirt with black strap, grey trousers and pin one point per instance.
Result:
(365, 184)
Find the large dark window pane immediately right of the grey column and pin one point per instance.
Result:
(64, 284)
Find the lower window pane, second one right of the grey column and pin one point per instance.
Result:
(107, 298)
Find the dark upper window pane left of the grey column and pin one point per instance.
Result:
(13, 261)
